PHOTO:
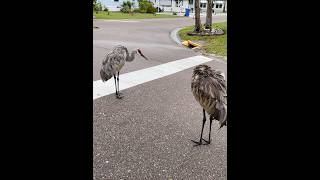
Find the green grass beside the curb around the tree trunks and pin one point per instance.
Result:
(214, 44)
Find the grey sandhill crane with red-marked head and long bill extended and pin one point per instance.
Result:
(113, 63)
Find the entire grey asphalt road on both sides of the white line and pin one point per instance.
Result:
(146, 135)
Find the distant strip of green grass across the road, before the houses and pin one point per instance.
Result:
(119, 15)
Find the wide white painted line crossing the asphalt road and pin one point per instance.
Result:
(134, 78)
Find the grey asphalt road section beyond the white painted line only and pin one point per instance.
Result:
(152, 36)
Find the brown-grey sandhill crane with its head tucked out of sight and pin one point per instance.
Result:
(209, 88)
